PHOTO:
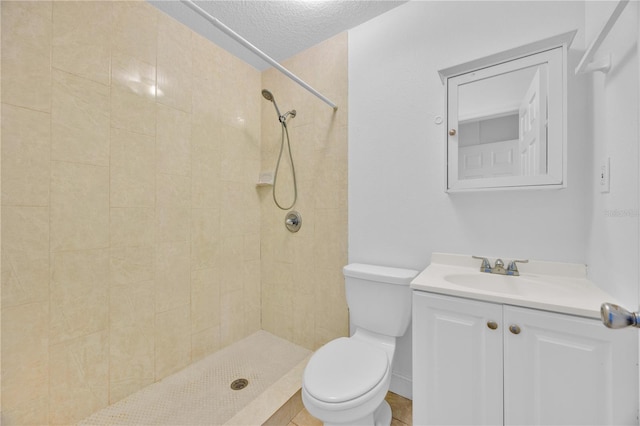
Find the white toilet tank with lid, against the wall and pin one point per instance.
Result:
(379, 297)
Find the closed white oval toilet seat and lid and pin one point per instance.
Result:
(344, 369)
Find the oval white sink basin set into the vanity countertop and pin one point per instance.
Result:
(507, 284)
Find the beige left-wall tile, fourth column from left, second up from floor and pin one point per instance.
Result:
(173, 279)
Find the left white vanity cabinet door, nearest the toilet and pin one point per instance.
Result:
(457, 361)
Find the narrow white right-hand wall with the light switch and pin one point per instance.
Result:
(613, 231)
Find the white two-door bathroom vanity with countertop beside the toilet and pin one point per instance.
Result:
(529, 349)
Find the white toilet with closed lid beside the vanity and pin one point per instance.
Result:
(346, 380)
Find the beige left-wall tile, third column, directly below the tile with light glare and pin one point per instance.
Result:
(133, 176)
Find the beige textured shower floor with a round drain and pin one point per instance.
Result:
(201, 394)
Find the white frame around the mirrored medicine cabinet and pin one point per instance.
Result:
(552, 51)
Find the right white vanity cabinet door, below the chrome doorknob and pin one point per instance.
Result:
(561, 369)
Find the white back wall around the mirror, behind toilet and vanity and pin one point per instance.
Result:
(398, 211)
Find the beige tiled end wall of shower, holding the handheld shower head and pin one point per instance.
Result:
(303, 295)
